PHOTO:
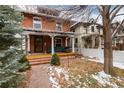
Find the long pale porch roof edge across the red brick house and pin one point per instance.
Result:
(32, 31)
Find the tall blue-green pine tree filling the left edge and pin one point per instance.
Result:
(10, 53)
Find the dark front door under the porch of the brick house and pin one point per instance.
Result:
(38, 44)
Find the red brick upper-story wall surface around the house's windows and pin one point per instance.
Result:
(47, 23)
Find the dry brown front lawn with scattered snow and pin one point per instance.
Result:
(81, 71)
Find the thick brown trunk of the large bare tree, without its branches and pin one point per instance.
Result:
(108, 55)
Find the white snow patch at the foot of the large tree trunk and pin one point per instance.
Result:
(104, 79)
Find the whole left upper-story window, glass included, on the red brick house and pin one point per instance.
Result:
(37, 24)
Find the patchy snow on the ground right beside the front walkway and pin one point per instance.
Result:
(55, 75)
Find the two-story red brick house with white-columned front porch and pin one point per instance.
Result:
(44, 32)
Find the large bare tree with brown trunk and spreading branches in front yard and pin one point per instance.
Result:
(108, 14)
